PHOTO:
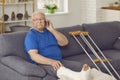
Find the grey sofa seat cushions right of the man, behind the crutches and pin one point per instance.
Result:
(112, 55)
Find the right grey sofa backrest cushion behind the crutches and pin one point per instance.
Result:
(104, 33)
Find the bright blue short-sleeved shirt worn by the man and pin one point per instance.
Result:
(44, 42)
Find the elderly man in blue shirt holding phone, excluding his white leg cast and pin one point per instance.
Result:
(42, 45)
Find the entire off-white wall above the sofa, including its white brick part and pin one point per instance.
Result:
(82, 11)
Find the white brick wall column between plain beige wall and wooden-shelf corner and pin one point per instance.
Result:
(88, 11)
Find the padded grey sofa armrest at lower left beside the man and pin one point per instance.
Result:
(23, 67)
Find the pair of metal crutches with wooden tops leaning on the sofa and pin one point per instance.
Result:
(82, 35)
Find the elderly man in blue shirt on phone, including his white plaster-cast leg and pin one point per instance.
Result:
(42, 45)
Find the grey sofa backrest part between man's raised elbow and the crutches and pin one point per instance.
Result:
(72, 48)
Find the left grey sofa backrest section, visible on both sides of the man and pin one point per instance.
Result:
(13, 43)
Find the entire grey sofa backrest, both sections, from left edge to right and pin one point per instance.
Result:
(104, 34)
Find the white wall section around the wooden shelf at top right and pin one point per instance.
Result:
(106, 15)
